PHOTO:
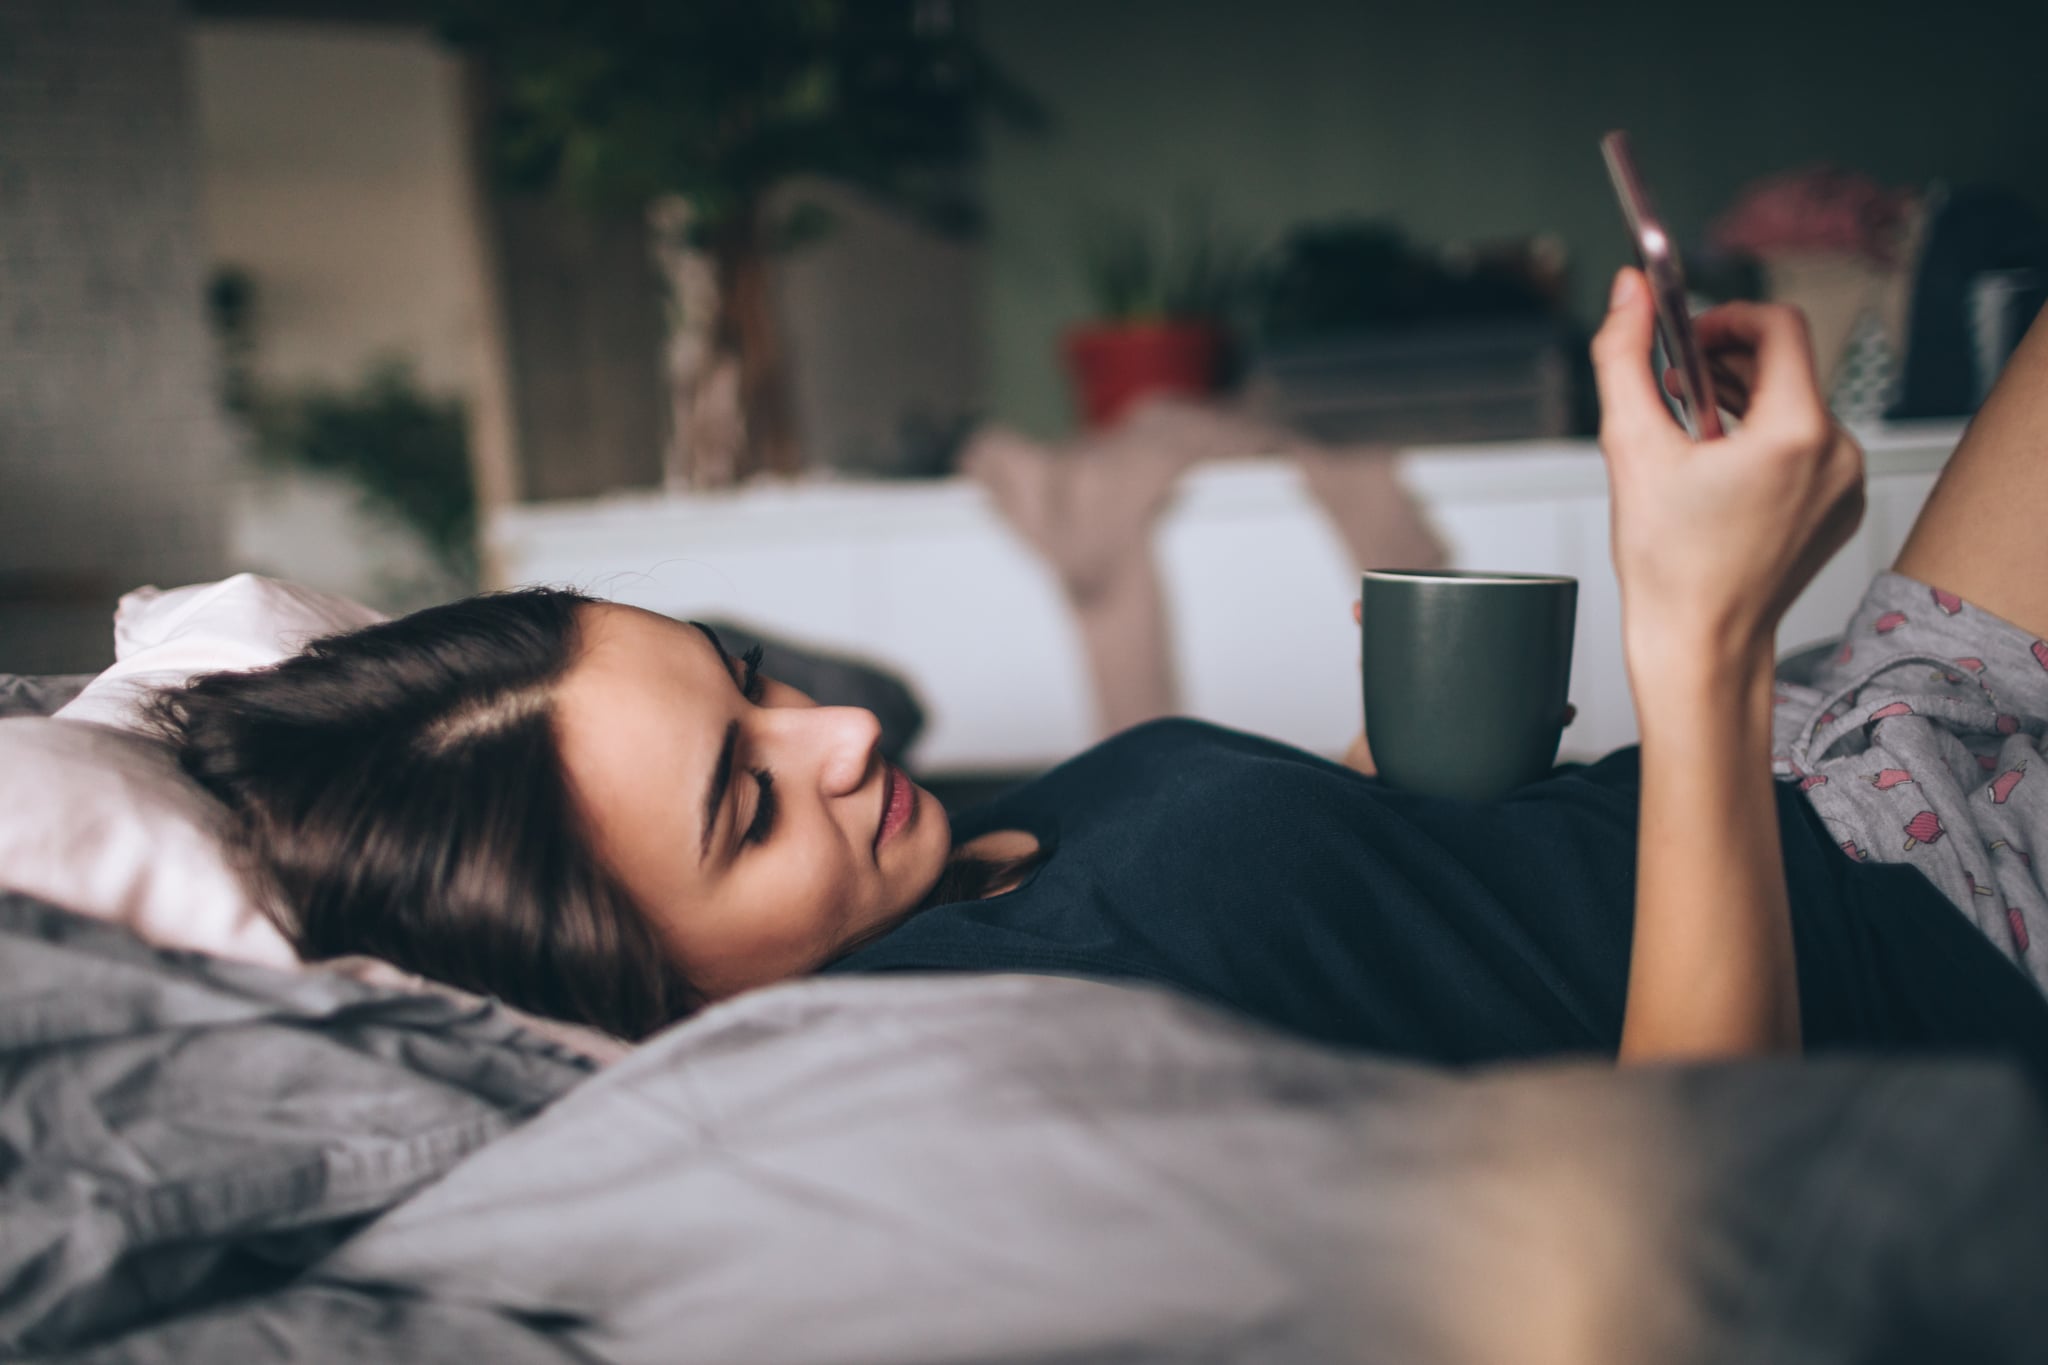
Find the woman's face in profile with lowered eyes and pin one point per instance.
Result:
(761, 832)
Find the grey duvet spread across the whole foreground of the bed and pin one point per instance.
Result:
(208, 1163)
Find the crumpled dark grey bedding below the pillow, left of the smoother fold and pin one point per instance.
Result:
(179, 1131)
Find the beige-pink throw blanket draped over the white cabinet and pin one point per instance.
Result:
(1089, 509)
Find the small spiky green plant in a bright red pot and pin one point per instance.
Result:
(1160, 314)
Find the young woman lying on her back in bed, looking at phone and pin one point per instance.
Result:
(603, 816)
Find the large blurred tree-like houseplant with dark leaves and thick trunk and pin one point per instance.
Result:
(718, 103)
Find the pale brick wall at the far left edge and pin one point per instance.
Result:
(114, 457)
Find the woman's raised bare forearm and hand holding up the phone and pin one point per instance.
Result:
(1713, 543)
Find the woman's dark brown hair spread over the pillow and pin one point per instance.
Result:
(400, 793)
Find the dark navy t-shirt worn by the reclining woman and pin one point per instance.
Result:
(1302, 893)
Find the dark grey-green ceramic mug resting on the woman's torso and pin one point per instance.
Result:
(1465, 676)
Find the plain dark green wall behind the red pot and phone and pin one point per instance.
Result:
(1469, 122)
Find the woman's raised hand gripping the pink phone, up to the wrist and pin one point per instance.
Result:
(1715, 539)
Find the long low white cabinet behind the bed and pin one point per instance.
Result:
(927, 578)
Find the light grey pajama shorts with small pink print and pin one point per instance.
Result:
(1920, 742)
